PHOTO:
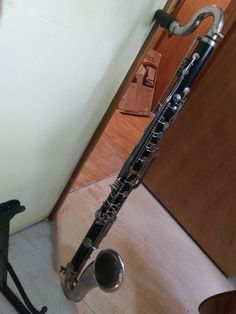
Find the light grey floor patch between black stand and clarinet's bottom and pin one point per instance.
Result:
(32, 254)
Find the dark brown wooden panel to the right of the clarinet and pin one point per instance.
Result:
(195, 174)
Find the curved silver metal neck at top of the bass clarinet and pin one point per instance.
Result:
(215, 30)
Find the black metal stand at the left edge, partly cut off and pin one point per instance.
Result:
(7, 211)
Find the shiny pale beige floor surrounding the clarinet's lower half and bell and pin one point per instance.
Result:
(166, 273)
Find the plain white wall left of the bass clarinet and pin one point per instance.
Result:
(61, 63)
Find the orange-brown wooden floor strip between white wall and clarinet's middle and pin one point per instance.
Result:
(114, 146)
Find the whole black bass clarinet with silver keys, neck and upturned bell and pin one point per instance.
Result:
(107, 271)
